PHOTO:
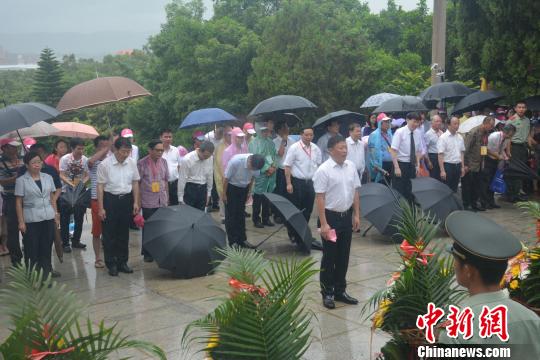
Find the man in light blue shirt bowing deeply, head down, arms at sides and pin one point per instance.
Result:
(237, 180)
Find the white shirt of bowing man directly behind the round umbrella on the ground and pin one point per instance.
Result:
(197, 171)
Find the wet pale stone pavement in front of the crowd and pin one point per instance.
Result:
(152, 305)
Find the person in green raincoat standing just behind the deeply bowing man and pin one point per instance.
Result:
(266, 181)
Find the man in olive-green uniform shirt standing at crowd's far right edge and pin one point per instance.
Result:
(519, 147)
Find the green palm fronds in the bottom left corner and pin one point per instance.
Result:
(45, 317)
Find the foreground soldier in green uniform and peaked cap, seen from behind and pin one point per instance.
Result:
(481, 251)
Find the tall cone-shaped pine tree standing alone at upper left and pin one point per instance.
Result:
(48, 87)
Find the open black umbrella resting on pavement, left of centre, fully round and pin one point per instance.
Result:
(183, 239)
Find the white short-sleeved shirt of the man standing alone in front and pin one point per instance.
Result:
(339, 184)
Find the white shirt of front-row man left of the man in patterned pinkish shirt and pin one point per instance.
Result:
(117, 177)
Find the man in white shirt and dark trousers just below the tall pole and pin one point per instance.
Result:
(451, 149)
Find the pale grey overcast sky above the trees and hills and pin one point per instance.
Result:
(90, 16)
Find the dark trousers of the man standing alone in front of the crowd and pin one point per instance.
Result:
(335, 259)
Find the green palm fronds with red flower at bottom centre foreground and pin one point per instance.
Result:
(266, 321)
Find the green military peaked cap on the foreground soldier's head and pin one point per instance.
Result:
(480, 237)
